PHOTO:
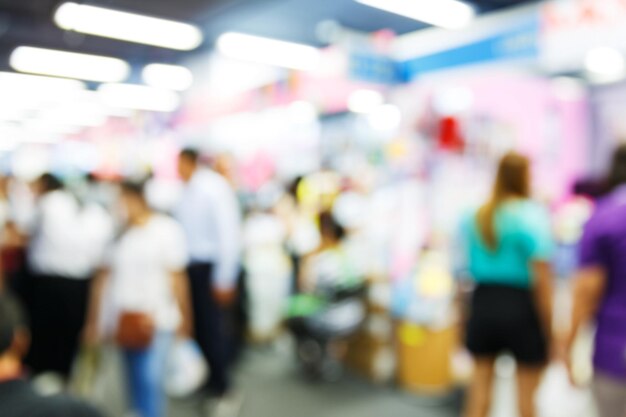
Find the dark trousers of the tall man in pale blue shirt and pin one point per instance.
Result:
(210, 326)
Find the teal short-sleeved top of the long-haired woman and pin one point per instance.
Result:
(524, 235)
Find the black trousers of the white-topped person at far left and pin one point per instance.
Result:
(57, 307)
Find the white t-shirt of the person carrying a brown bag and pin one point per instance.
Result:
(141, 263)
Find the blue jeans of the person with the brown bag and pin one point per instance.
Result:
(146, 373)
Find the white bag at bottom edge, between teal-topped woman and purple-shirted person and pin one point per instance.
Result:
(558, 398)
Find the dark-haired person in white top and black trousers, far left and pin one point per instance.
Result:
(62, 257)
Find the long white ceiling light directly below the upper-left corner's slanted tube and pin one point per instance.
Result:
(69, 64)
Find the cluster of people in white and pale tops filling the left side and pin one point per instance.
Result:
(93, 262)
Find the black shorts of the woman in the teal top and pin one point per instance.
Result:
(505, 319)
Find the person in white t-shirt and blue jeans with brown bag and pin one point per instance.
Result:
(143, 276)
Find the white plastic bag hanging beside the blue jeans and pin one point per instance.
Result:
(186, 369)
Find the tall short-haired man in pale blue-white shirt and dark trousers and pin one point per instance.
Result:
(210, 216)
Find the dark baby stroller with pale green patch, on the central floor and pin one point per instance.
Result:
(320, 323)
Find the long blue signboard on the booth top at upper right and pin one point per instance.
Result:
(515, 43)
